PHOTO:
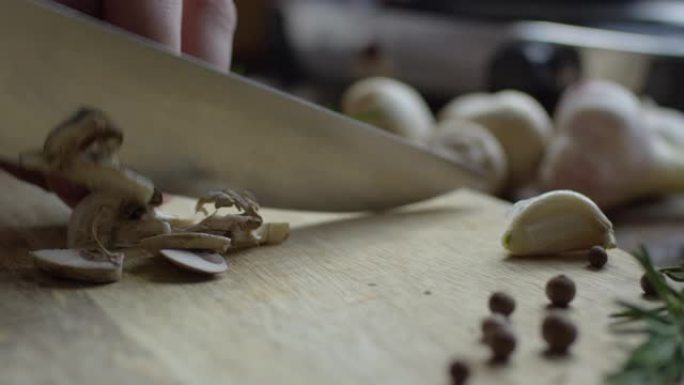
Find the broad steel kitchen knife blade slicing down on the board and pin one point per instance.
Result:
(191, 128)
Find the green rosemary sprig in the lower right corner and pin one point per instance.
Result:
(659, 360)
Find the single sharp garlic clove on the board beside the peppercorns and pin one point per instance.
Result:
(555, 222)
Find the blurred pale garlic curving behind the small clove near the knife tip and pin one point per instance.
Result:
(518, 122)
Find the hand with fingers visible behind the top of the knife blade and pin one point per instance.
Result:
(201, 28)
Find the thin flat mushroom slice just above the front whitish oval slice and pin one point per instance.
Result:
(186, 241)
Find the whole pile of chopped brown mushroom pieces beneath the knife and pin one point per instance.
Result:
(120, 212)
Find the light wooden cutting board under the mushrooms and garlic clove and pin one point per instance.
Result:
(348, 299)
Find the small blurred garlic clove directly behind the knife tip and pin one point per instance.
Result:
(474, 145)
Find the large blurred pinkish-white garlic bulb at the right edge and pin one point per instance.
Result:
(612, 148)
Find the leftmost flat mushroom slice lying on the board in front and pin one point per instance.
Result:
(80, 264)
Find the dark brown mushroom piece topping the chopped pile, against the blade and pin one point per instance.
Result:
(87, 129)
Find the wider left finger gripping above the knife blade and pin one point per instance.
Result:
(159, 20)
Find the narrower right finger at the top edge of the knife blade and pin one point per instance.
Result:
(208, 28)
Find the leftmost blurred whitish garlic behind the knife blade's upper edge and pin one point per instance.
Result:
(391, 105)
